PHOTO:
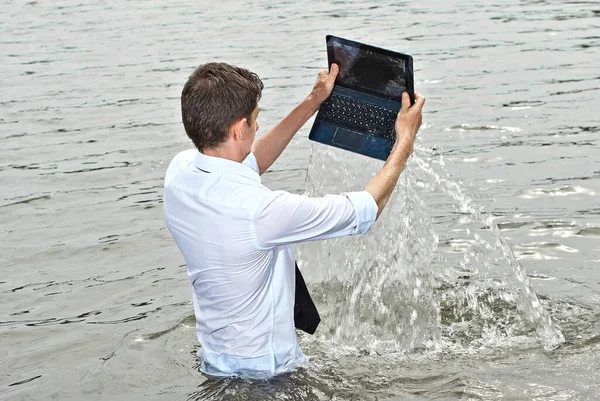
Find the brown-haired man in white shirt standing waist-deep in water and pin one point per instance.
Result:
(237, 236)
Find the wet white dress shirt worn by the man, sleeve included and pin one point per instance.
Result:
(237, 239)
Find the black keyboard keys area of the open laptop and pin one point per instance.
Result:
(359, 115)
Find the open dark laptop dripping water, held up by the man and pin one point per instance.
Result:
(360, 114)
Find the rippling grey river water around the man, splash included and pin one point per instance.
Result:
(480, 282)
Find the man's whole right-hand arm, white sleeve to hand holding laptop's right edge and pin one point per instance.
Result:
(286, 218)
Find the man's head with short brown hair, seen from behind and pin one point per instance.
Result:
(219, 102)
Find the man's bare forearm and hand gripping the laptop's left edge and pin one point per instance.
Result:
(269, 146)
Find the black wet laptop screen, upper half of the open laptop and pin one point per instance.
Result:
(370, 69)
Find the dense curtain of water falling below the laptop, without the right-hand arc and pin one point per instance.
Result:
(377, 289)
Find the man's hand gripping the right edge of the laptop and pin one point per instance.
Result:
(407, 123)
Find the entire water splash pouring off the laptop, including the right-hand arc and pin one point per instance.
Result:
(394, 288)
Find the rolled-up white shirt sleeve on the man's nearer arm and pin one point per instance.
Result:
(286, 218)
